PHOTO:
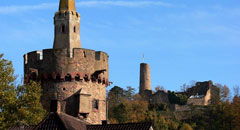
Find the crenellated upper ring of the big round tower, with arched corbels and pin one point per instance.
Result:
(56, 65)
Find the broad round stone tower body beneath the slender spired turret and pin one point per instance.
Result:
(64, 78)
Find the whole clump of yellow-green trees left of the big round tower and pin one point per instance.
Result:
(18, 105)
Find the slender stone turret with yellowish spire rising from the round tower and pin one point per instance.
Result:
(67, 26)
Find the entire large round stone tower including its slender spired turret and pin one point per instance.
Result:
(72, 77)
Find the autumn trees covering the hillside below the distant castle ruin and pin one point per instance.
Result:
(125, 107)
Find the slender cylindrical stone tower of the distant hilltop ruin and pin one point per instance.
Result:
(145, 78)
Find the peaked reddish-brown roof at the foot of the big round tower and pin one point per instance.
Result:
(61, 121)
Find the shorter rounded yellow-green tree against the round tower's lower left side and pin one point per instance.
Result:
(30, 110)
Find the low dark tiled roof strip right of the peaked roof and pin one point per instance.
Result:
(128, 126)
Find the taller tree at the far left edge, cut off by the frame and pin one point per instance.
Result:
(7, 94)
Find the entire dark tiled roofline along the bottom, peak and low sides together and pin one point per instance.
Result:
(62, 121)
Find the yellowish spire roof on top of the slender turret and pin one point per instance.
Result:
(67, 5)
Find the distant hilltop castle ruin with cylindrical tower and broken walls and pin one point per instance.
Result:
(202, 94)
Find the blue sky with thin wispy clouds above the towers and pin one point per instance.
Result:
(182, 40)
